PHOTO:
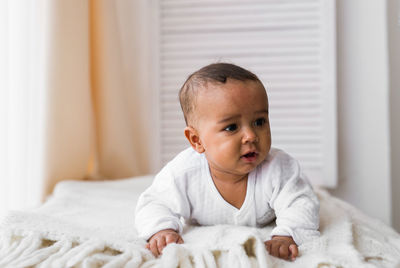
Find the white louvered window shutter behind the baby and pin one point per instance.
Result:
(289, 45)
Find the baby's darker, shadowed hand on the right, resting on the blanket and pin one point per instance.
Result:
(282, 247)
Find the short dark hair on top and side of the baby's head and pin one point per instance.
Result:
(213, 73)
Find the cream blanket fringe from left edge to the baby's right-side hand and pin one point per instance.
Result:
(37, 250)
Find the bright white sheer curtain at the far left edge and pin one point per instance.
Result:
(21, 106)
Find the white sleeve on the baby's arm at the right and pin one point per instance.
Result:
(295, 204)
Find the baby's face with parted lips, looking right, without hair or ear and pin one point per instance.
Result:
(233, 126)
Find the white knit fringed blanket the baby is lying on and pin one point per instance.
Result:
(90, 224)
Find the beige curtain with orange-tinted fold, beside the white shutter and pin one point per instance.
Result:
(96, 75)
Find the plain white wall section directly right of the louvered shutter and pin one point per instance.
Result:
(363, 101)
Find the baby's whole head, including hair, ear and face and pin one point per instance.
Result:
(226, 113)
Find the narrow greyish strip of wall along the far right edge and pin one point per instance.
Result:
(394, 61)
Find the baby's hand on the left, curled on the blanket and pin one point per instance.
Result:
(162, 238)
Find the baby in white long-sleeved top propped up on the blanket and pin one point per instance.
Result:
(230, 174)
